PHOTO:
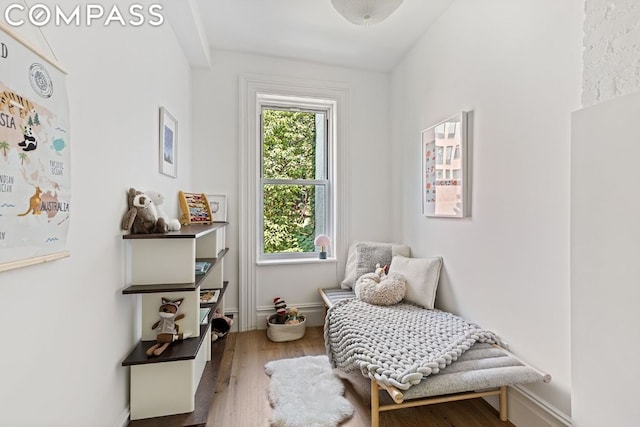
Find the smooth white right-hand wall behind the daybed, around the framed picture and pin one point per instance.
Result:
(517, 65)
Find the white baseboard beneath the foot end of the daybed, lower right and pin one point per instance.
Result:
(527, 409)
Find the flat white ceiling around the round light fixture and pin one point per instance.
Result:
(304, 29)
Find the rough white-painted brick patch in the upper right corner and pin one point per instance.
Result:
(611, 49)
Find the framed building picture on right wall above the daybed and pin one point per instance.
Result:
(445, 178)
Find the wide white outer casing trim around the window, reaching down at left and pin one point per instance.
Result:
(250, 85)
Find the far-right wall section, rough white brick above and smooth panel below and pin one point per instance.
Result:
(604, 233)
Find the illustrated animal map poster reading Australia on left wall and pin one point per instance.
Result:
(35, 185)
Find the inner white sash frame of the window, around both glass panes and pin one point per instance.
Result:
(290, 103)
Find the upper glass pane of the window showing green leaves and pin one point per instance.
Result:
(293, 145)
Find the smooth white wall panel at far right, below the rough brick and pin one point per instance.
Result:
(604, 263)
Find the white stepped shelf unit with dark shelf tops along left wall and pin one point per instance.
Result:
(162, 266)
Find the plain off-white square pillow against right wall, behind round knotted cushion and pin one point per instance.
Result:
(422, 275)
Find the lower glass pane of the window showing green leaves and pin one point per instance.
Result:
(293, 216)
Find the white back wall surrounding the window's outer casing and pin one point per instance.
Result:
(216, 162)
